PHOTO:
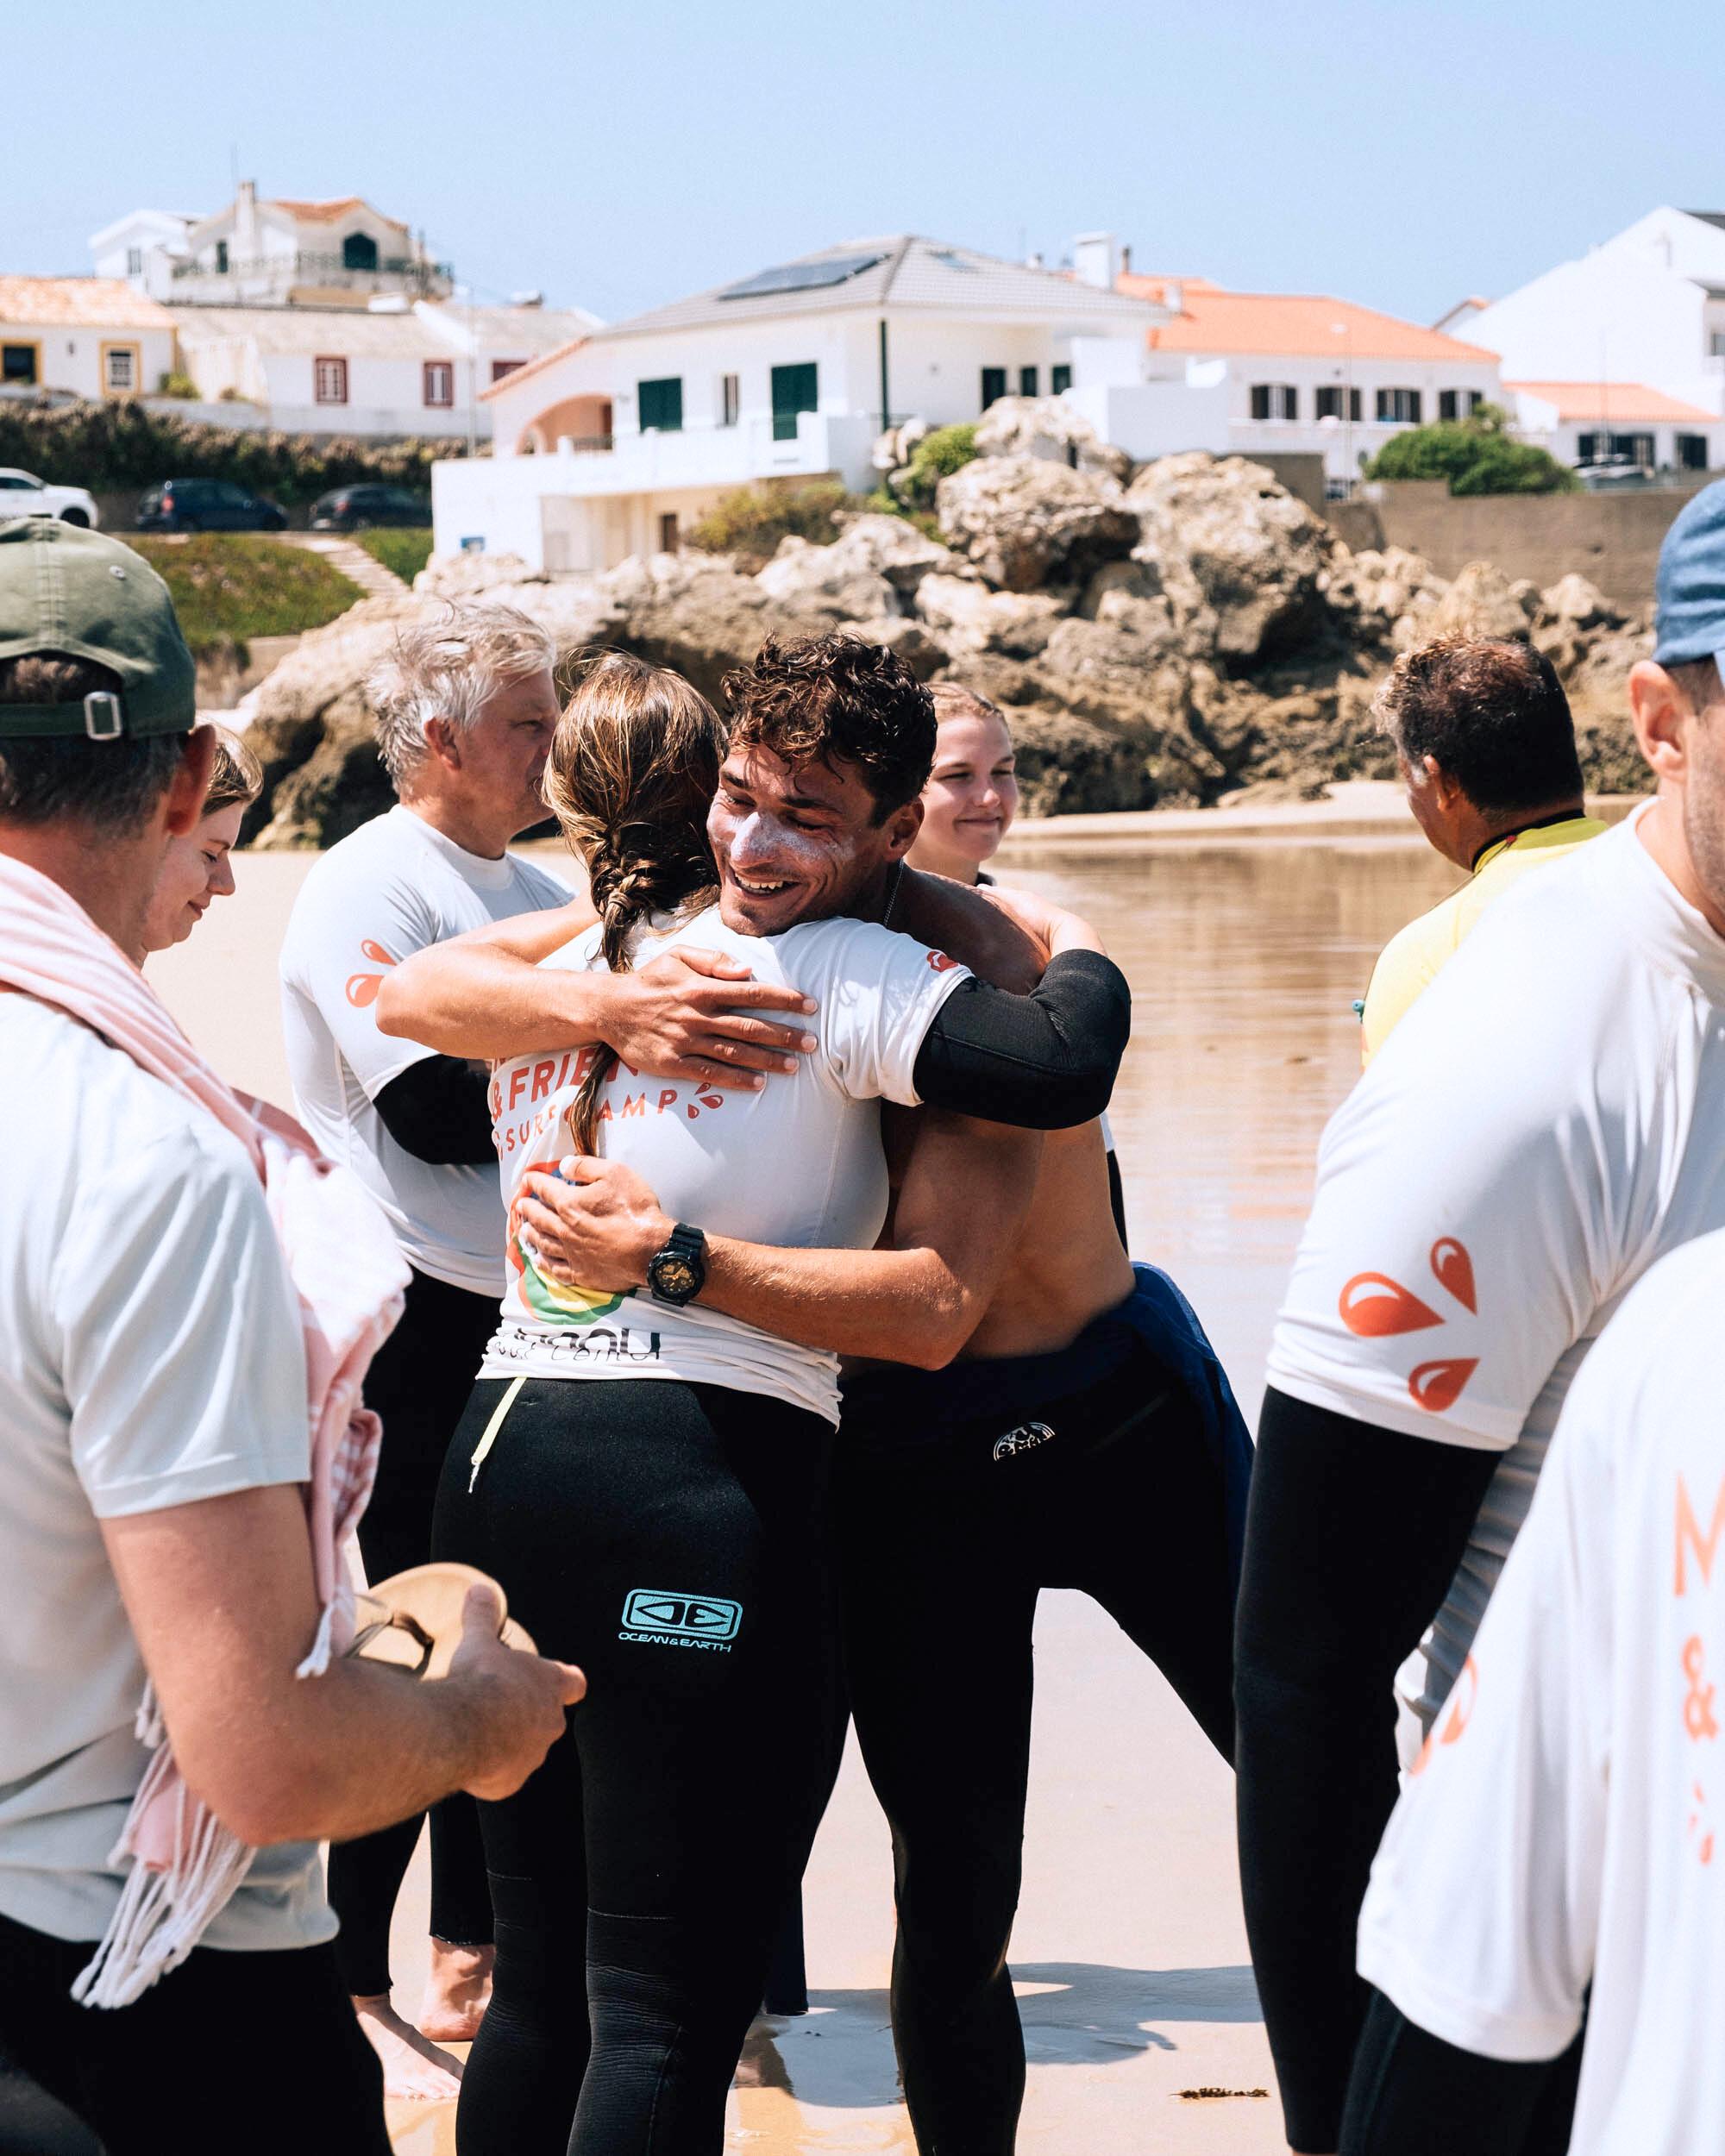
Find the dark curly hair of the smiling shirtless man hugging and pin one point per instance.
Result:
(838, 700)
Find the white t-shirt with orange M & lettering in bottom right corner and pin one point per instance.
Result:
(1569, 1823)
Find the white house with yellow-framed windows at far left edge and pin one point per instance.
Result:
(89, 335)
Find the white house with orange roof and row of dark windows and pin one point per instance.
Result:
(1252, 374)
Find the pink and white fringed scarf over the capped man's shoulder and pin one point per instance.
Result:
(350, 1280)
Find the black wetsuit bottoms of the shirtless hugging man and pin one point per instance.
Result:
(946, 1545)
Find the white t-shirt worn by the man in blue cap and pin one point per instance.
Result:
(1543, 1127)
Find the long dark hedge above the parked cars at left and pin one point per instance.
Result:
(115, 445)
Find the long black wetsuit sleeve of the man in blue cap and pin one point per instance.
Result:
(1353, 1538)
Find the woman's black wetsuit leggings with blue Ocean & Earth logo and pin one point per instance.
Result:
(674, 1540)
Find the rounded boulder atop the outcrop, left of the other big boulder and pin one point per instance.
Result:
(1027, 523)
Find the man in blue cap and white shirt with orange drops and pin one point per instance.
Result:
(1536, 1135)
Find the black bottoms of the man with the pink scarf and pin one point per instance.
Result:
(182, 2071)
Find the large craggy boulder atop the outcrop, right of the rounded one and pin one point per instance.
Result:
(1232, 544)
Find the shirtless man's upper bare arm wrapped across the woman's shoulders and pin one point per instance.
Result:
(682, 1017)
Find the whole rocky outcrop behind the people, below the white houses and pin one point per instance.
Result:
(1170, 641)
